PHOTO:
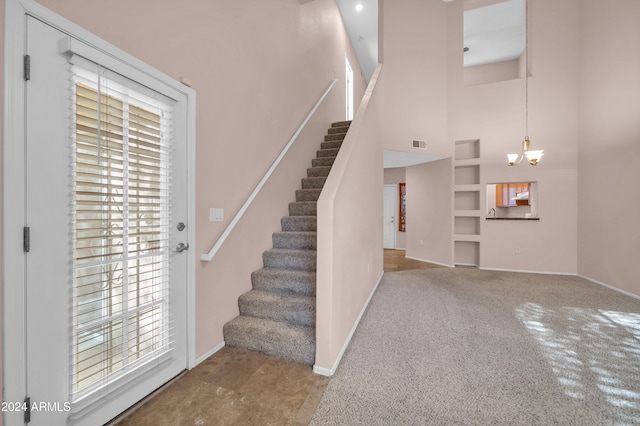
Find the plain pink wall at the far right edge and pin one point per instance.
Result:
(609, 201)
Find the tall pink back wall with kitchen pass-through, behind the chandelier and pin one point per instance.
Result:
(495, 114)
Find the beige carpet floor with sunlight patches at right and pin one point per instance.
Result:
(469, 347)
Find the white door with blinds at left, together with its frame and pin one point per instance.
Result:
(96, 288)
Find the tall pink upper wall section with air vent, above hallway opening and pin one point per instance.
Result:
(413, 85)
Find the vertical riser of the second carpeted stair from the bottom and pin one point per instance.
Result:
(298, 313)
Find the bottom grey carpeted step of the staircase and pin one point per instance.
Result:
(275, 338)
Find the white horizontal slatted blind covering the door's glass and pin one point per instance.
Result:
(121, 320)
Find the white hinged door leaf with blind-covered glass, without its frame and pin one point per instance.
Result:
(93, 353)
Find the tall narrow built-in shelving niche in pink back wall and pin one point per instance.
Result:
(466, 203)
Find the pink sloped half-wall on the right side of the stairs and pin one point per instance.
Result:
(350, 254)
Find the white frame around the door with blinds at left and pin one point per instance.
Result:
(14, 185)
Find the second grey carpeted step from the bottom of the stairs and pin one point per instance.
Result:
(293, 309)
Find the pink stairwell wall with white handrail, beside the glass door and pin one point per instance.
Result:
(258, 66)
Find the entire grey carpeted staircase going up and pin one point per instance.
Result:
(278, 316)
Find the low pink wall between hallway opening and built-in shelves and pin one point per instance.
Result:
(429, 212)
